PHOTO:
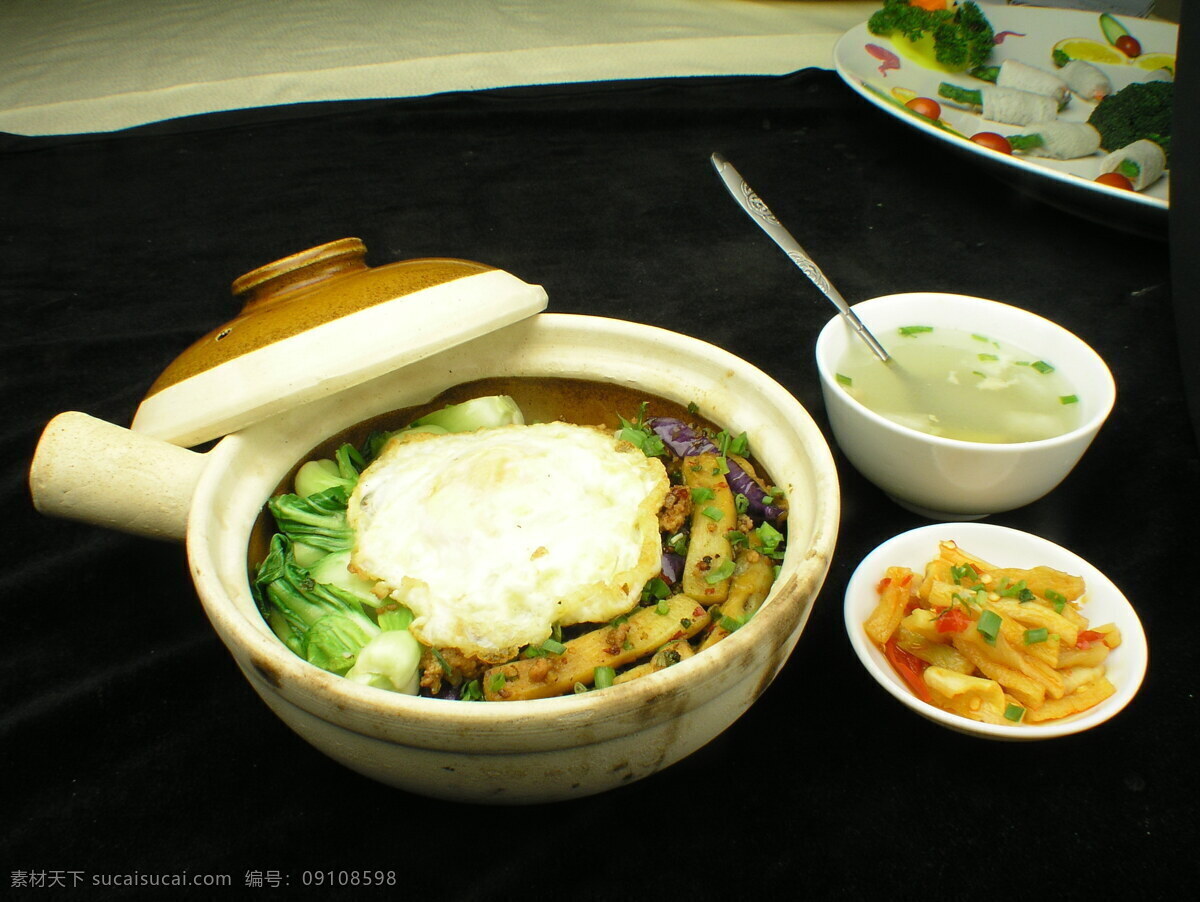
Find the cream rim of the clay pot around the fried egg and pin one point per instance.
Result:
(393, 714)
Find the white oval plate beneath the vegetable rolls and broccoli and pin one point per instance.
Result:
(1030, 35)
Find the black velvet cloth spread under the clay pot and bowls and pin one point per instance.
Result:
(133, 745)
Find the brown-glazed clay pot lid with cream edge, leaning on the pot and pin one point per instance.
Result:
(319, 322)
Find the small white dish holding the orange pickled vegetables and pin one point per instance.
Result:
(1000, 546)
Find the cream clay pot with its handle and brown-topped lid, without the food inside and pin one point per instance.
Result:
(411, 332)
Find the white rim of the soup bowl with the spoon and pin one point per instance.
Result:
(1106, 386)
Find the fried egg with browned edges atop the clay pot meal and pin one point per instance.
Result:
(491, 538)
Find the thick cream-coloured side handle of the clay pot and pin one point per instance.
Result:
(92, 471)
